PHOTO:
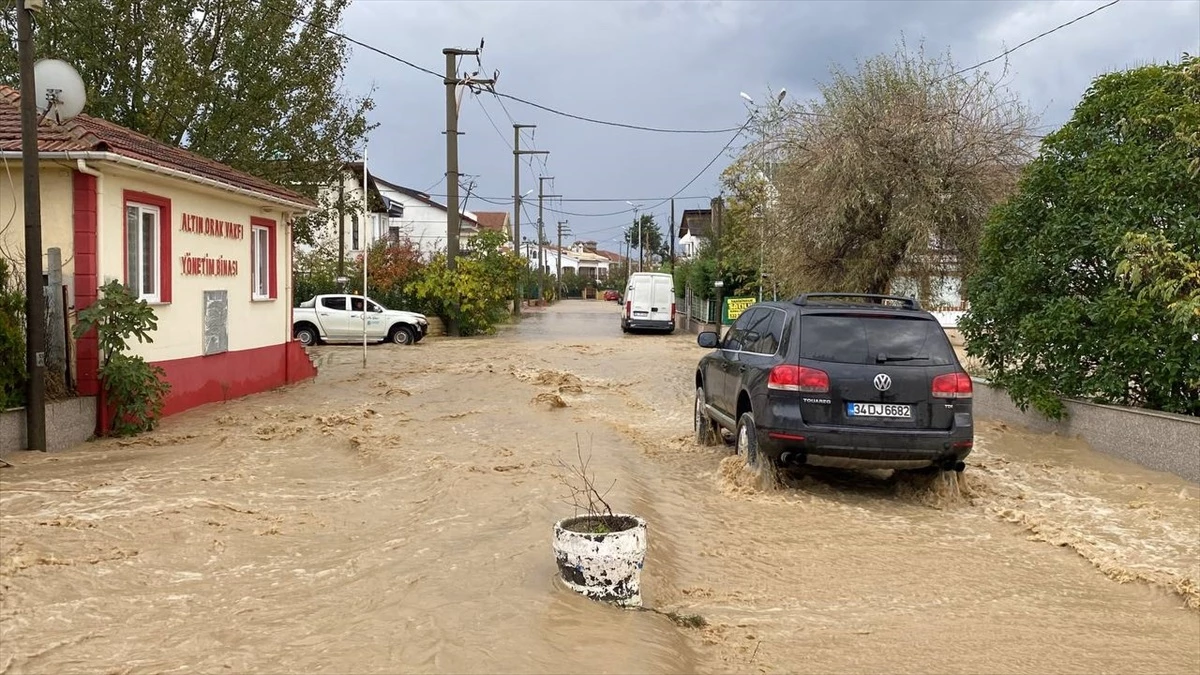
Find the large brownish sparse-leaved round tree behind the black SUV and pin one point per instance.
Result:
(891, 174)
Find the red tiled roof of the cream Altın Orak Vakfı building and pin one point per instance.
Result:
(89, 134)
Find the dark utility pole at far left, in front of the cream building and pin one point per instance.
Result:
(35, 295)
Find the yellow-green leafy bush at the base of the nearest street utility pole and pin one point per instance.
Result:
(477, 294)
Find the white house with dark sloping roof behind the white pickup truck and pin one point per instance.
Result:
(394, 213)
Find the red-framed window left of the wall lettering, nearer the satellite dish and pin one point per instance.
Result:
(148, 247)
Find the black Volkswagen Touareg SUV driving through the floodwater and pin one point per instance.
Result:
(844, 380)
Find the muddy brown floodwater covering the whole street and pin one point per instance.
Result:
(399, 519)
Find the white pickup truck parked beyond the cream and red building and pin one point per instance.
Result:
(339, 319)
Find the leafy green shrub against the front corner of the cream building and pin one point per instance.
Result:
(135, 389)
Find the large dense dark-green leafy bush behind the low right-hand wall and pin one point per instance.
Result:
(1070, 300)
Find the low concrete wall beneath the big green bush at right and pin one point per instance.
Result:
(1155, 440)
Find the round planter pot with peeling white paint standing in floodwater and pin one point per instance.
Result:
(602, 557)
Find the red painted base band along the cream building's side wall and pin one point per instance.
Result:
(196, 381)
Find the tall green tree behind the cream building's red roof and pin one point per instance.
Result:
(254, 85)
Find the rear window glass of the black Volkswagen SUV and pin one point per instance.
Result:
(865, 339)
